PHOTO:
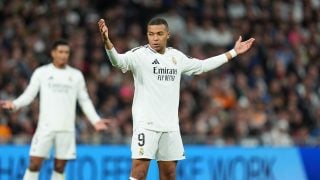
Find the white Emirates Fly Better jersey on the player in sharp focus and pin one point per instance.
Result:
(157, 83)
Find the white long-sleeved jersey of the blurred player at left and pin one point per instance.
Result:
(59, 91)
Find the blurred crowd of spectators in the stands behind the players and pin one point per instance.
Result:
(269, 96)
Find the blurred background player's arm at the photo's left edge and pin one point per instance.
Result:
(27, 96)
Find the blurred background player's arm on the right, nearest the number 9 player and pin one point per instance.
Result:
(88, 108)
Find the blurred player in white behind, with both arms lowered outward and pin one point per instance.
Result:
(59, 86)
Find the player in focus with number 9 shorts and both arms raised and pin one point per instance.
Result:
(157, 70)
